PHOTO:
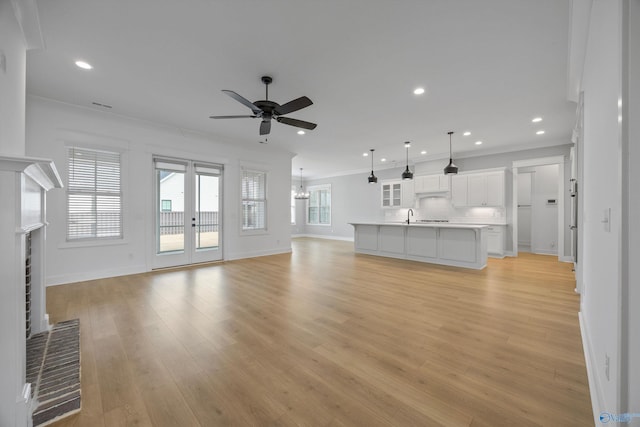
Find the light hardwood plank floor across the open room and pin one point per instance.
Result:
(325, 337)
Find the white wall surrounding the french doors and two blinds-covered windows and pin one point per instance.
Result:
(51, 125)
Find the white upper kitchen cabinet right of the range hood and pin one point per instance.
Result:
(478, 189)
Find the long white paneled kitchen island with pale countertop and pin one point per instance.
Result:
(459, 245)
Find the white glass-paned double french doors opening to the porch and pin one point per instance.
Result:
(188, 219)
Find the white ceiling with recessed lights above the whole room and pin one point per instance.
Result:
(487, 66)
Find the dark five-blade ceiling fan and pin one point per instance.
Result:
(267, 110)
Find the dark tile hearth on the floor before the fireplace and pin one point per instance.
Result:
(53, 369)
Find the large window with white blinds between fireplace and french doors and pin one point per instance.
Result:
(94, 196)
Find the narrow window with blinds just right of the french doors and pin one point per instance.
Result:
(254, 200)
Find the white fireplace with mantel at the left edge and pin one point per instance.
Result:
(24, 183)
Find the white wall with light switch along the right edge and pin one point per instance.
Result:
(601, 191)
